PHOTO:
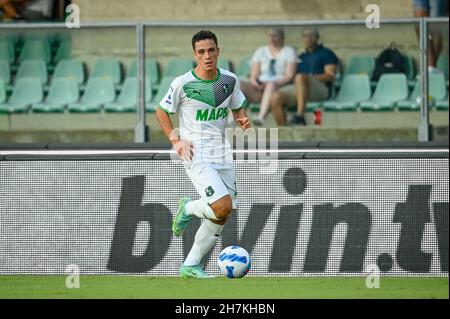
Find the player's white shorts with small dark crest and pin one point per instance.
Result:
(213, 181)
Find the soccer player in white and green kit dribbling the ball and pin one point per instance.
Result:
(203, 98)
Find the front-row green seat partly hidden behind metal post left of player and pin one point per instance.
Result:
(127, 99)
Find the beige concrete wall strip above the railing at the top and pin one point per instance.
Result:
(169, 10)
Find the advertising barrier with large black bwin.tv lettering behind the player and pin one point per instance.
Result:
(326, 210)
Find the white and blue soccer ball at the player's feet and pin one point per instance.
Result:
(234, 262)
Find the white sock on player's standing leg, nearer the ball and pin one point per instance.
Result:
(205, 239)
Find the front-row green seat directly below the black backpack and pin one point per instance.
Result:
(391, 88)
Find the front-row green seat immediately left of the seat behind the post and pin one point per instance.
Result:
(98, 91)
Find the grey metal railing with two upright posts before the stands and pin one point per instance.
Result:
(142, 131)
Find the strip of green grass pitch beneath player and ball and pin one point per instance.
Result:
(114, 286)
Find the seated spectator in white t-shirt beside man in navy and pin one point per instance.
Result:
(272, 67)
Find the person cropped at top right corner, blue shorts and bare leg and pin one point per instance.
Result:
(431, 8)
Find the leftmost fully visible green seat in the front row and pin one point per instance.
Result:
(27, 91)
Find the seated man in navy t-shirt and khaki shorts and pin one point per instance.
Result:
(313, 82)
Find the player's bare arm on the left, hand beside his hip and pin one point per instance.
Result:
(183, 148)
